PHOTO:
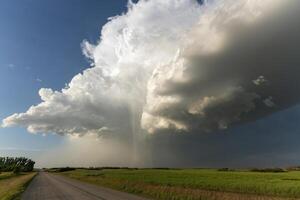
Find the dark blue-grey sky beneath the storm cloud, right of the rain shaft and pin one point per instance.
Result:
(270, 142)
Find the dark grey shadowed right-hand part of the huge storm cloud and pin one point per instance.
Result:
(253, 74)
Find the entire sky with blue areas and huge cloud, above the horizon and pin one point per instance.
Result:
(150, 83)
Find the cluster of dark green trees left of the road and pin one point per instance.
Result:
(18, 164)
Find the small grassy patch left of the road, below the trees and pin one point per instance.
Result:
(12, 185)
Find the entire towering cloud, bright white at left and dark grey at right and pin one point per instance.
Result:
(181, 66)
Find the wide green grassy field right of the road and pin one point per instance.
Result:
(192, 184)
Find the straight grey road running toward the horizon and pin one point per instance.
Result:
(46, 186)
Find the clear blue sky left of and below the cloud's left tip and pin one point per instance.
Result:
(40, 47)
